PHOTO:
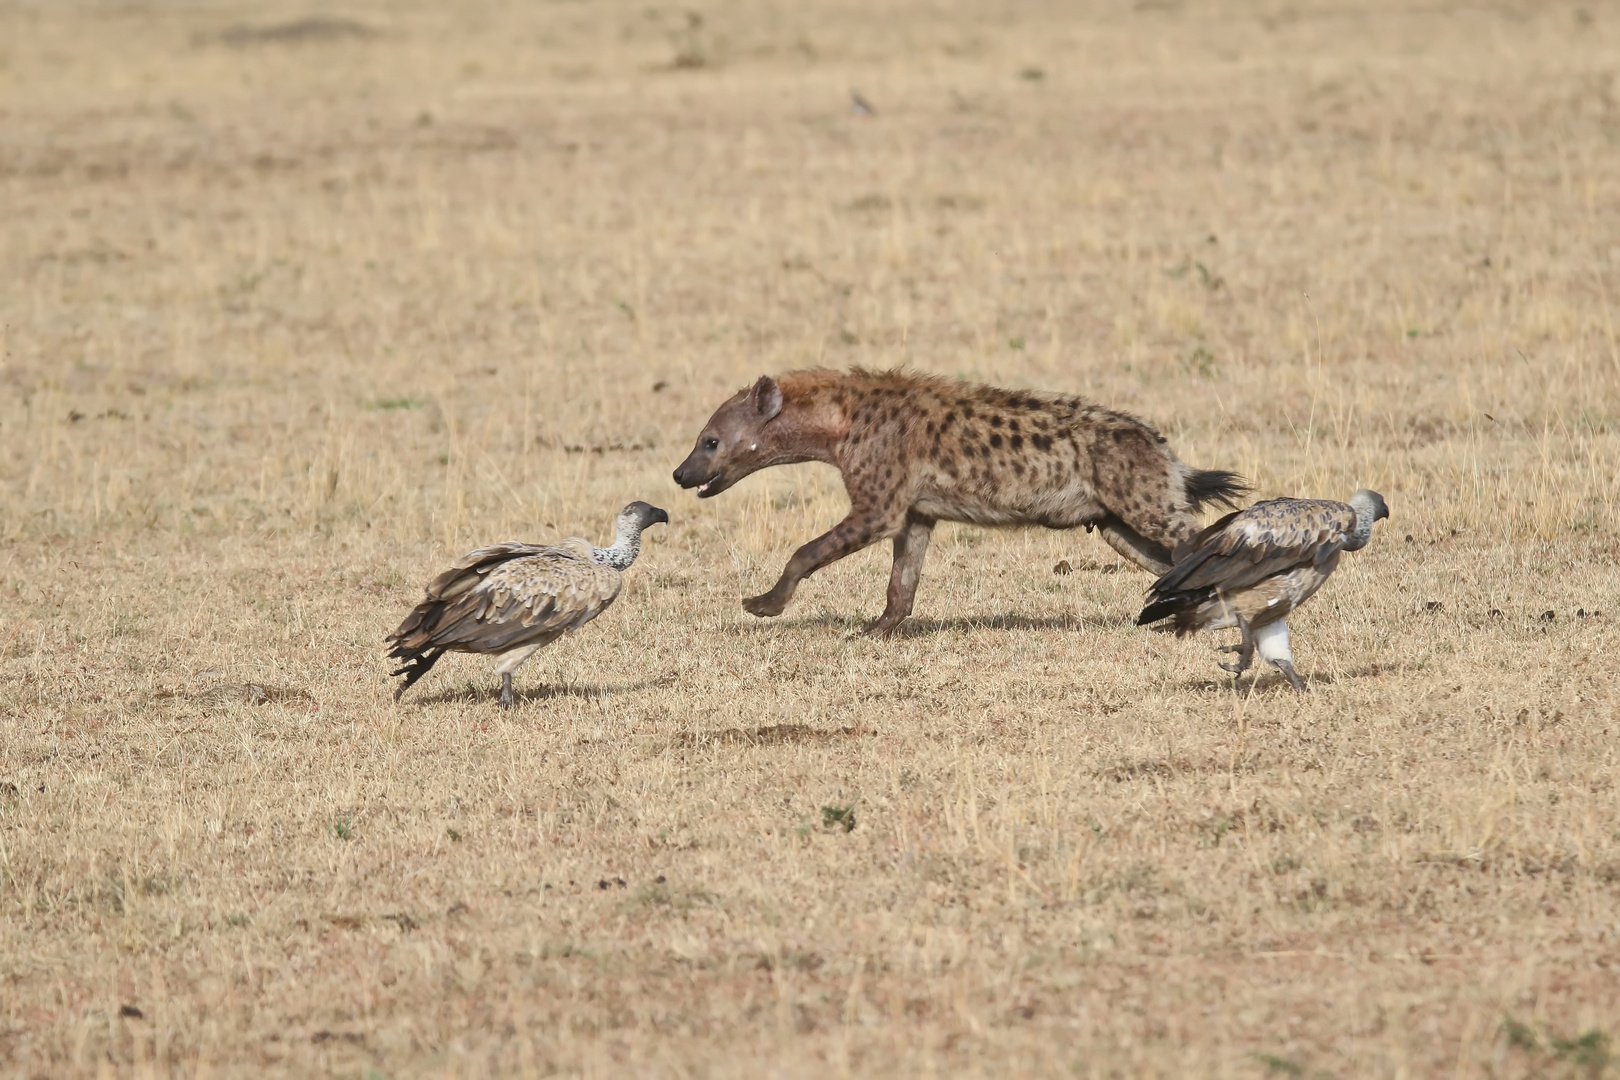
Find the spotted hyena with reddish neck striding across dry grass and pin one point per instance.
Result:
(918, 449)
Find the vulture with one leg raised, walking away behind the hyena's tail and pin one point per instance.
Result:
(1255, 568)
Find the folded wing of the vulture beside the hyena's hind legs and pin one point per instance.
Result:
(1268, 538)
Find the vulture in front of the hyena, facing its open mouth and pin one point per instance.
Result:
(513, 600)
